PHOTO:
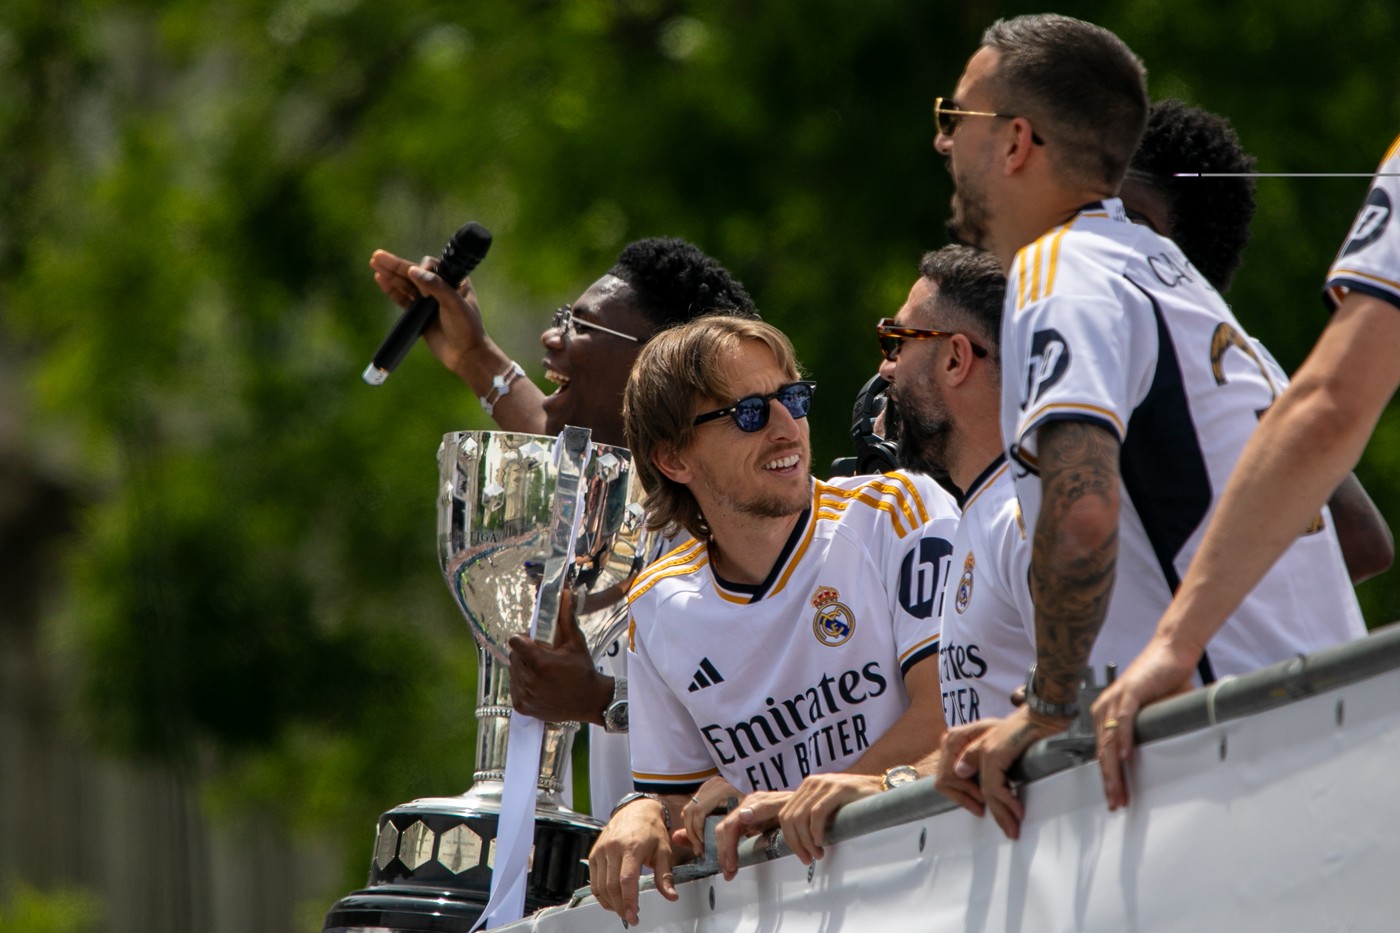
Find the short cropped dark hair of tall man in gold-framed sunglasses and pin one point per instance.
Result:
(1080, 85)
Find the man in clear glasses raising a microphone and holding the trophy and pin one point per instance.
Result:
(590, 347)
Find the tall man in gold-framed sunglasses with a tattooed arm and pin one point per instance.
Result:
(1128, 386)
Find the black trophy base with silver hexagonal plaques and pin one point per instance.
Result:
(433, 861)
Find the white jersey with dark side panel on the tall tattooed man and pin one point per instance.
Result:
(1108, 323)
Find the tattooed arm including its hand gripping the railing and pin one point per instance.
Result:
(1074, 557)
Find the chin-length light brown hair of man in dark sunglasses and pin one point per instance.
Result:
(674, 372)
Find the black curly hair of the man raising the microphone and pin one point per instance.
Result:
(674, 282)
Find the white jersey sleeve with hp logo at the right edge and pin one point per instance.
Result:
(1370, 261)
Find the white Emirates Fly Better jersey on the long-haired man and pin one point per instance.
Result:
(801, 675)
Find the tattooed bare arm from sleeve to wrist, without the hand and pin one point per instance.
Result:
(1073, 578)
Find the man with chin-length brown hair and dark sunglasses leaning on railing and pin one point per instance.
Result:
(789, 645)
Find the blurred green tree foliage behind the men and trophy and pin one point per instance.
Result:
(190, 194)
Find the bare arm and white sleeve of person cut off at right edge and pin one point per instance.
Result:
(1314, 435)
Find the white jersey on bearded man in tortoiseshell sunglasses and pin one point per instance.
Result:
(989, 624)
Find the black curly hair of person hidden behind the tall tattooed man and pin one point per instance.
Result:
(1210, 216)
